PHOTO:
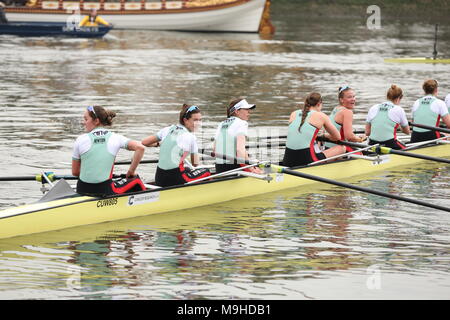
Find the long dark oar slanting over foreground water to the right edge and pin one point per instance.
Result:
(354, 187)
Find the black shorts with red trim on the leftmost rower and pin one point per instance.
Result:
(110, 187)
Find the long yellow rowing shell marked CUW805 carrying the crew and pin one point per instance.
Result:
(77, 210)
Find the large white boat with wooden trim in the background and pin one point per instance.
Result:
(180, 15)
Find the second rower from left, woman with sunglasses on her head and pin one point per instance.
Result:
(177, 143)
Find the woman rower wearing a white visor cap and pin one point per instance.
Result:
(231, 135)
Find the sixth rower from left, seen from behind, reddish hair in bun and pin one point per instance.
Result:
(384, 119)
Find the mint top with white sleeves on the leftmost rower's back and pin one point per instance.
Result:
(97, 151)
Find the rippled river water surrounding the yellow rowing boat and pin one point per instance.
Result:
(316, 243)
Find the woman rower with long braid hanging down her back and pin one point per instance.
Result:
(304, 126)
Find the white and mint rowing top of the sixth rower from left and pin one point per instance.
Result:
(385, 119)
